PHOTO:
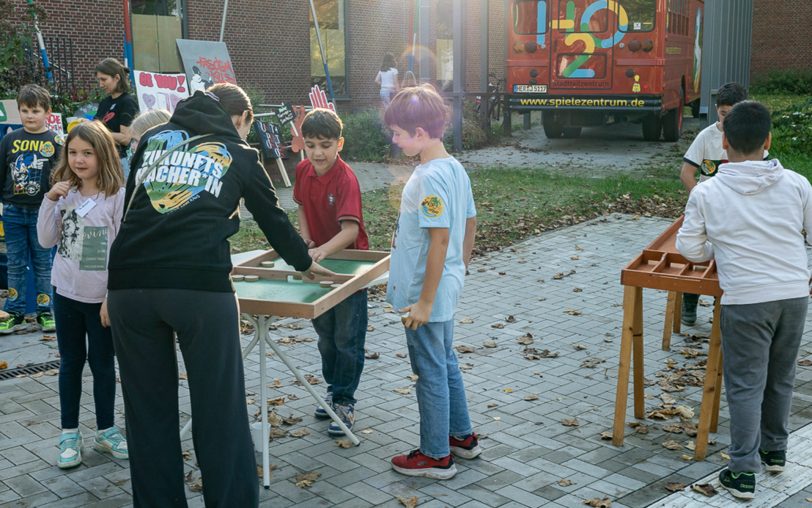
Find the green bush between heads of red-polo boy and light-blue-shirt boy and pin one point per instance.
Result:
(365, 137)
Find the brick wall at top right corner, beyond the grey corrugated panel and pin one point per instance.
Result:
(782, 36)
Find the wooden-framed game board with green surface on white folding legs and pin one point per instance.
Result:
(267, 285)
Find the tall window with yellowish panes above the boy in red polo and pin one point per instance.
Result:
(333, 36)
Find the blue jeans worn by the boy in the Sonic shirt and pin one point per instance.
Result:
(21, 244)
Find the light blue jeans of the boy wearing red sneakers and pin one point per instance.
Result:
(440, 389)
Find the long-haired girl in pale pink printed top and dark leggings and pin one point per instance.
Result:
(82, 214)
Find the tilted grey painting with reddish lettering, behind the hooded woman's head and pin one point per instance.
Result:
(205, 63)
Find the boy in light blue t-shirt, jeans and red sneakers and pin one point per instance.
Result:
(430, 252)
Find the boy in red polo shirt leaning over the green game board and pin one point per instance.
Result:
(330, 219)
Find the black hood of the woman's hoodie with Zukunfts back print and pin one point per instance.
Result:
(202, 114)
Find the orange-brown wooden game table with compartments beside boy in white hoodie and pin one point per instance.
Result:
(660, 266)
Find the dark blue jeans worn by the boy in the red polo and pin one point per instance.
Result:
(342, 333)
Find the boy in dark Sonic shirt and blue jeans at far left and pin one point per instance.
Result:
(27, 157)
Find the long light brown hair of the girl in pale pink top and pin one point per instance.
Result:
(111, 177)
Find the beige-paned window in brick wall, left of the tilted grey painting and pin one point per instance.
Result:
(155, 25)
